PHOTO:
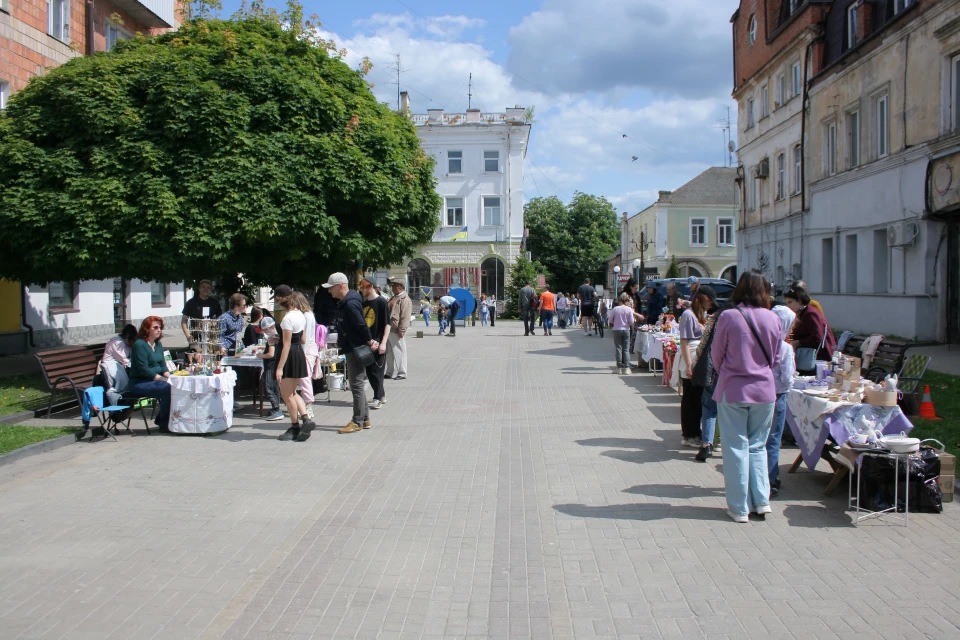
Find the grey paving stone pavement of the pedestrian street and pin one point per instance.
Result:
(510, 488)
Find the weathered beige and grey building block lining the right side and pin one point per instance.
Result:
(839, 185)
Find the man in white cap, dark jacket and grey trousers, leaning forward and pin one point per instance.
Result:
(352, 332)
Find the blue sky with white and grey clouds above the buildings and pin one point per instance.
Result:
(630, 96)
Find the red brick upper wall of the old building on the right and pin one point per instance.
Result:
(749, 59)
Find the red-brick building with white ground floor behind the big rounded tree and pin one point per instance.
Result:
(34, 36)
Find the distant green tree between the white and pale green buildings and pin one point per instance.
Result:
(573, 240)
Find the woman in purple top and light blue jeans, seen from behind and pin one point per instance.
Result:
(745, 350)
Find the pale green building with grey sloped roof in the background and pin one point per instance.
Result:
(697, 223)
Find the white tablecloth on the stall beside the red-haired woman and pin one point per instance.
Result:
(202, 404)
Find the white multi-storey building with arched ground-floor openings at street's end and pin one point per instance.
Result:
(479, 172)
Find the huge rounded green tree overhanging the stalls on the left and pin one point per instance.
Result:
(233, 146)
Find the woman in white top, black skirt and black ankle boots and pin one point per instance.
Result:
(291, 363)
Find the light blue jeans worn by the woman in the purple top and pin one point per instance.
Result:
(744, 428)
